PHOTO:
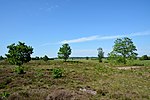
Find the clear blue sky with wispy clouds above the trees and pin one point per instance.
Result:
(85, 25)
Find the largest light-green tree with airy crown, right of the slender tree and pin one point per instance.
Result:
(124, 49)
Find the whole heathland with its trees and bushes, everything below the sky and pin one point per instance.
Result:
(122, 75)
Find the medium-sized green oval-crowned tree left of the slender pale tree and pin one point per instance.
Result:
(64, 52)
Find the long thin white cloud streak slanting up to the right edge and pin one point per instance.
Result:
(97, 37)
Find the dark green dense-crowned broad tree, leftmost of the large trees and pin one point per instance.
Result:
(19, 54)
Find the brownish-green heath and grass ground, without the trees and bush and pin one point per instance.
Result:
(82, 80)
